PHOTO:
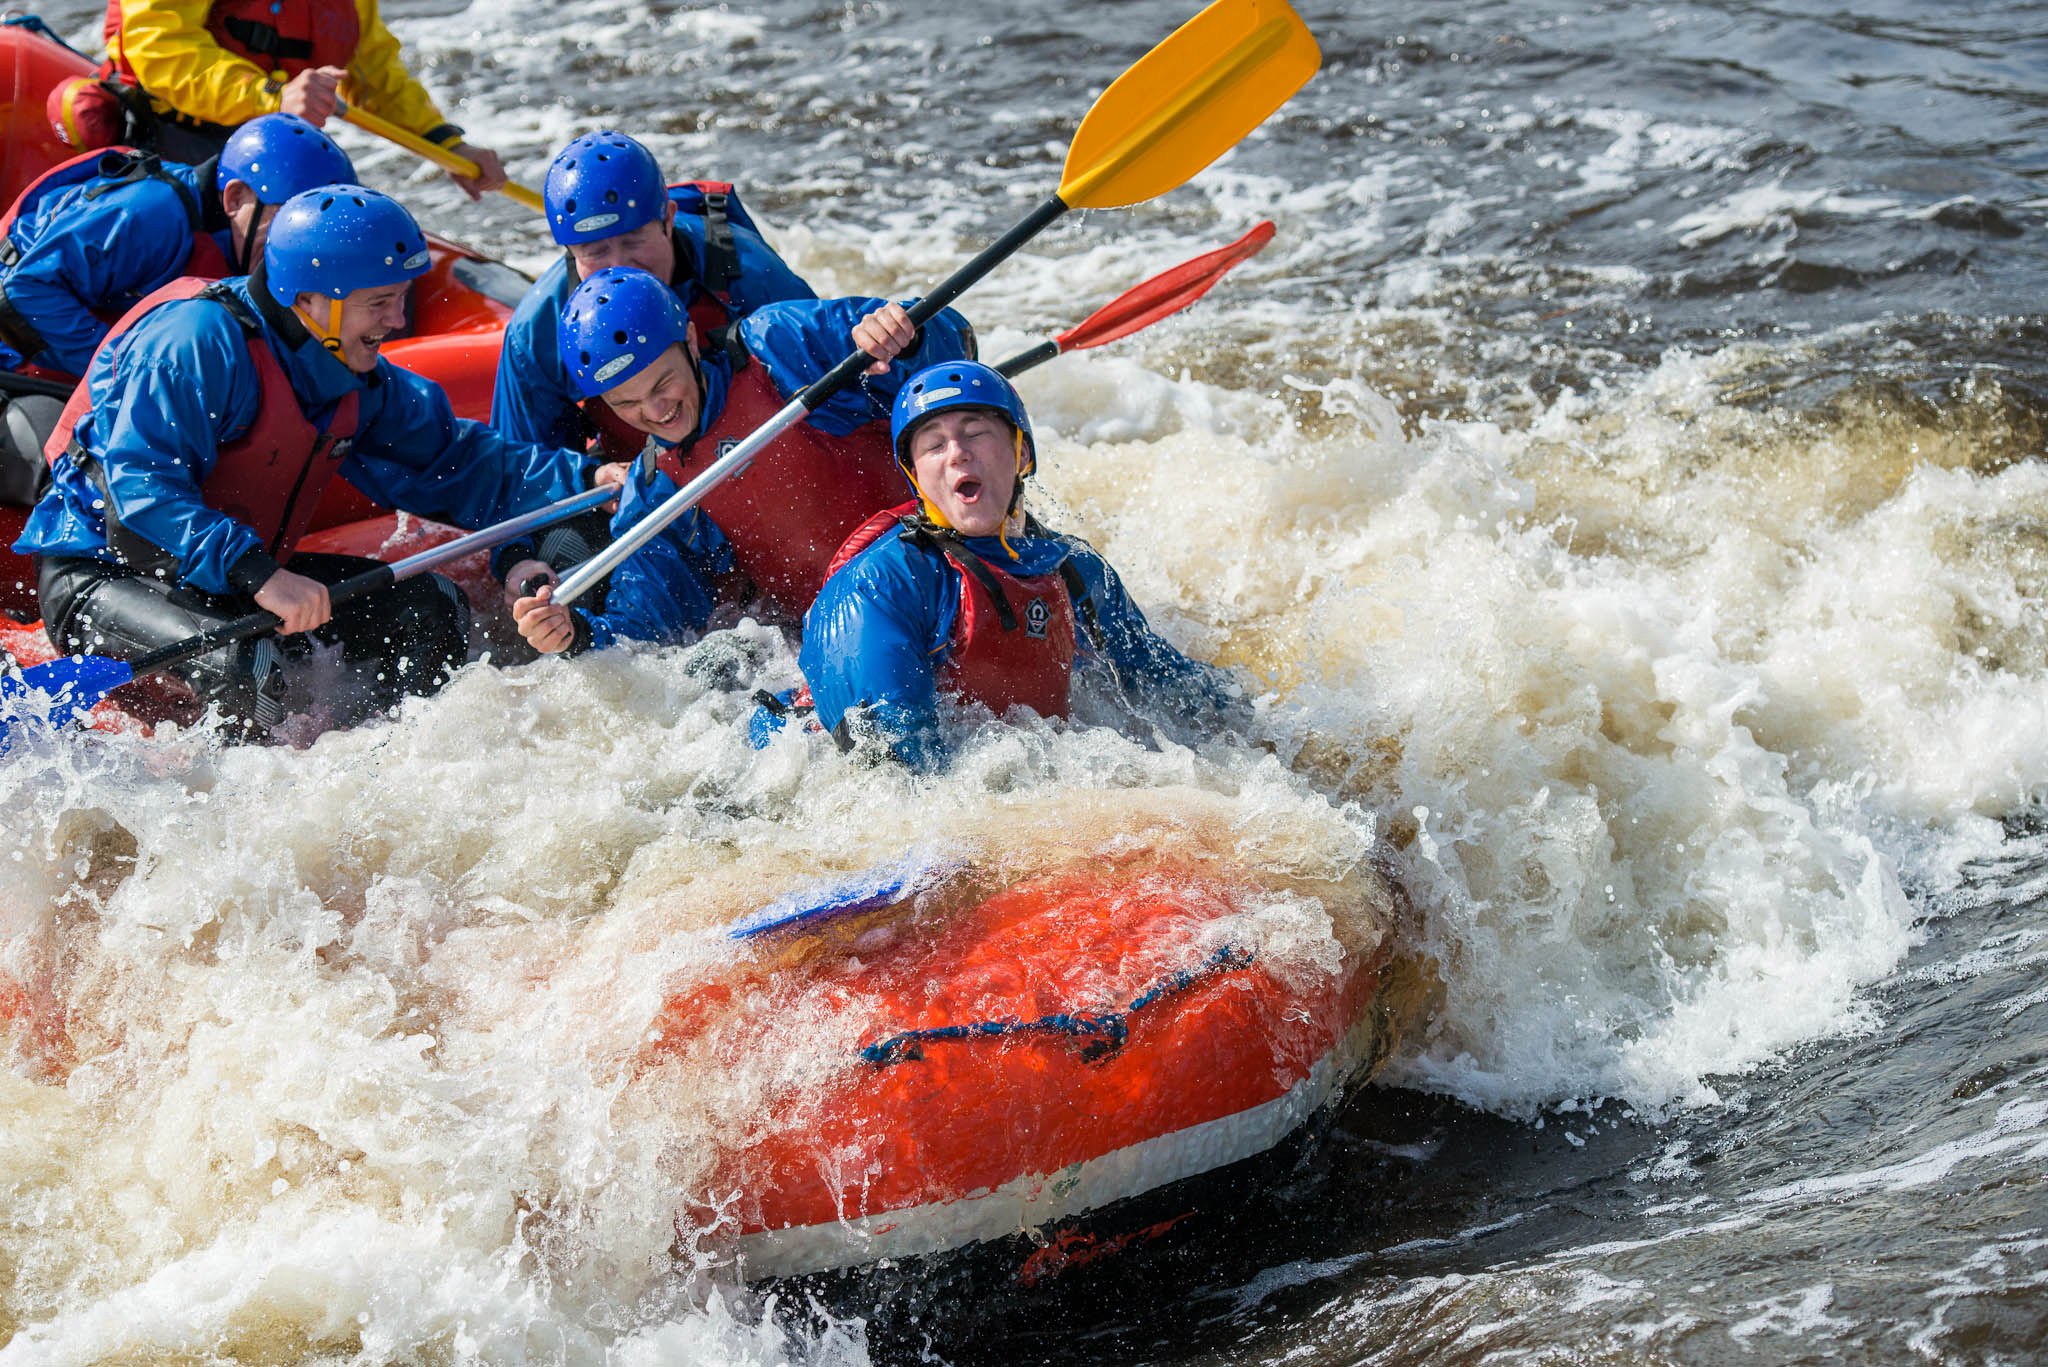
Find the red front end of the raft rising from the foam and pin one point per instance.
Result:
(1046, 1052)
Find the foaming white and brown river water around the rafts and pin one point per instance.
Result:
(1623, 477)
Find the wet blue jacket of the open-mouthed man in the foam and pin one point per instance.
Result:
(886, 624)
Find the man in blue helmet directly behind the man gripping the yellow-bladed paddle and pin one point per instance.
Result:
(609, 206)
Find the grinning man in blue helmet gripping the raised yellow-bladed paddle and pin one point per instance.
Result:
(628, 339)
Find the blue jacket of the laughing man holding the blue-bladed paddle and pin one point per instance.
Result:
(181, 384)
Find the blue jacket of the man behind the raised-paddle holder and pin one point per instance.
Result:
(538, 403)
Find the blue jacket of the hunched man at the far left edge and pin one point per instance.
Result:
(91, 247)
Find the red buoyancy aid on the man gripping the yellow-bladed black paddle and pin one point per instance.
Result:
(796, 503)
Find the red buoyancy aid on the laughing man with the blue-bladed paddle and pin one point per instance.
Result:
(269, 479)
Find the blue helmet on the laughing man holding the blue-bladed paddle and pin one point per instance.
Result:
(341, 239)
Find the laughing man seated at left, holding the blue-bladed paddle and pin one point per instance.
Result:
(194, 456)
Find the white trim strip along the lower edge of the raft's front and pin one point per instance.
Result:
(1037, 1200)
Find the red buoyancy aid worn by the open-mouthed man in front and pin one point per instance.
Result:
(1013, 636)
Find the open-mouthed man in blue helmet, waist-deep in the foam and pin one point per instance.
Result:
(962, 593)
